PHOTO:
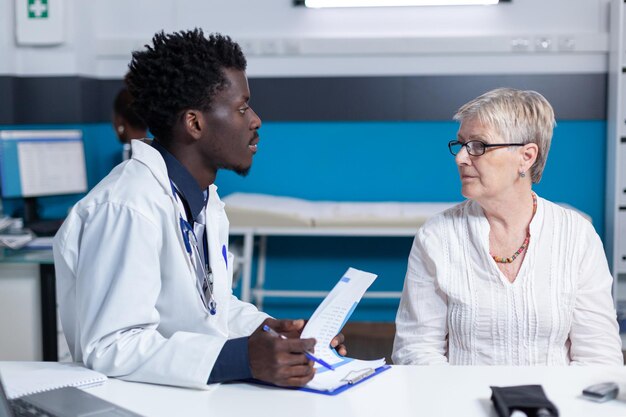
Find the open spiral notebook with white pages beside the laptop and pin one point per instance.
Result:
(24, 378)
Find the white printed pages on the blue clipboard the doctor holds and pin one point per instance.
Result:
(326, 322)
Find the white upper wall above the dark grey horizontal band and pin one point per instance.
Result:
(283, 40)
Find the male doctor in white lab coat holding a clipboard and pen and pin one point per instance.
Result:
(143, 271)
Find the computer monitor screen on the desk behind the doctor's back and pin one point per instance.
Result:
(36, 163)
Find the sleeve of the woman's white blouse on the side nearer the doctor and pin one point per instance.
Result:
(421, 321)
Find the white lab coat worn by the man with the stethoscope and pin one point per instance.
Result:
(126, 286)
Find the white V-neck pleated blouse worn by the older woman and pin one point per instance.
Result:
(458, 308)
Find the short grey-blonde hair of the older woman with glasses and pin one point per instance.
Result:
(519, 116)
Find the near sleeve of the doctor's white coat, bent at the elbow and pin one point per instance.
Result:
(117, 284)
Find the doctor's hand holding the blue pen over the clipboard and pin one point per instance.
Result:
(281, 361)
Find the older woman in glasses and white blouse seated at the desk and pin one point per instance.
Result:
(506, 277)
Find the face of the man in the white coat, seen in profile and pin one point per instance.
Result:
(231, 138)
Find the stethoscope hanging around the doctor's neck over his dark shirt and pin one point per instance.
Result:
(203, 268)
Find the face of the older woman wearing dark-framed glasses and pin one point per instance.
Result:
(488, 175)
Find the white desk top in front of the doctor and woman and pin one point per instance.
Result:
(402, 391)
